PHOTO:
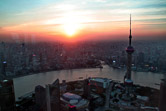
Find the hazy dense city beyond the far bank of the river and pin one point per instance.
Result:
(25, 58)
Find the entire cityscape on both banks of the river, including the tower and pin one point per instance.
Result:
(89, 94)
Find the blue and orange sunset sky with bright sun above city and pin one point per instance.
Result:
(83, 20)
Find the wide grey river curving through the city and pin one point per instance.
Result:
(25, 84)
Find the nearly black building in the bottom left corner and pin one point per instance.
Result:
(7, 97)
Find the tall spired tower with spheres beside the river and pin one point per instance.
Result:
(129, 50)
